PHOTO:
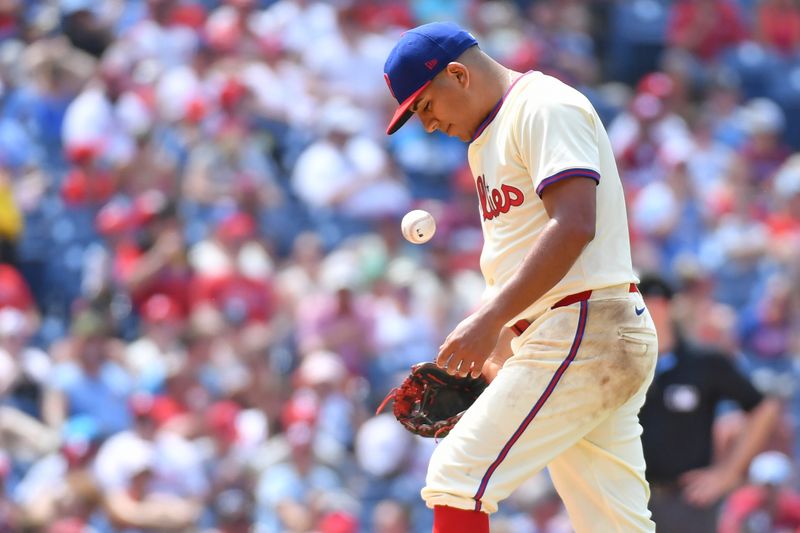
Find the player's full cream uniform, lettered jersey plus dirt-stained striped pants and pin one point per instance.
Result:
(568, 397)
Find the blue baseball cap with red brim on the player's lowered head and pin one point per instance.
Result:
(419, 55)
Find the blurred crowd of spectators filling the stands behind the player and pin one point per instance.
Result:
(204, 293)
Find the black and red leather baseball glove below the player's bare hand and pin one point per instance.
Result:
(430, 401)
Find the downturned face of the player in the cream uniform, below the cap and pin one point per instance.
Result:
(445, 105)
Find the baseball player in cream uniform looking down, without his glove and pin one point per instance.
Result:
(563, 333)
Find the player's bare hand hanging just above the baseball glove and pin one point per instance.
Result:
(469, 345)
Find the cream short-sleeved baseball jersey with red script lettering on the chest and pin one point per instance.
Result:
(541, 132)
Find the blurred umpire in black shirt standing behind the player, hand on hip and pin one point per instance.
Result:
(687, 484)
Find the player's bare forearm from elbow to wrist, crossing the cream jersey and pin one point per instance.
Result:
(553, 254)
